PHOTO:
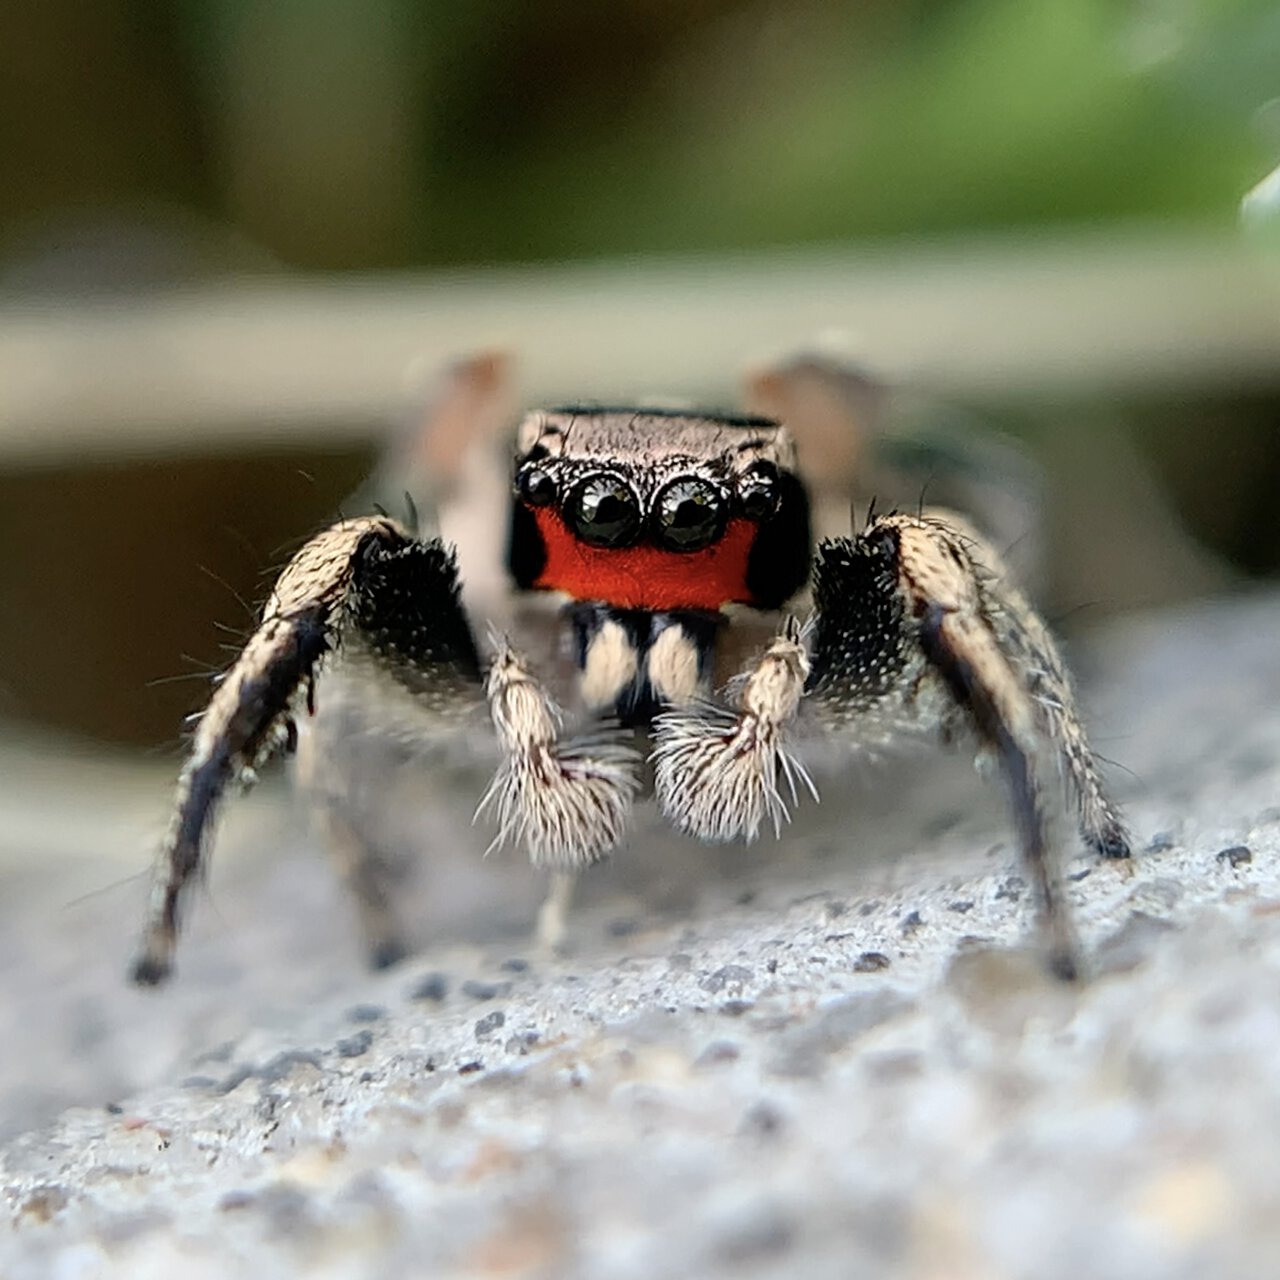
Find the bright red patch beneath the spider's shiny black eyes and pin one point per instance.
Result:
(647, 577)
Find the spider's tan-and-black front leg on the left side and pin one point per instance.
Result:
(363, 586)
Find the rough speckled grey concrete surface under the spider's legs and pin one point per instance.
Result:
(831, 1058)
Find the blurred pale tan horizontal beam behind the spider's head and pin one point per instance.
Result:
(264, 362)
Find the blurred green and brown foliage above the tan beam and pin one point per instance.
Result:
(390, 132)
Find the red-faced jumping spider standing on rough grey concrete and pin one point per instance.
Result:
(661, 536)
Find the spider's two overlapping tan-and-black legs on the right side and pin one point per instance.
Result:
(917, 629)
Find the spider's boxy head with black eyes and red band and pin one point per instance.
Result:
(657, 511)
